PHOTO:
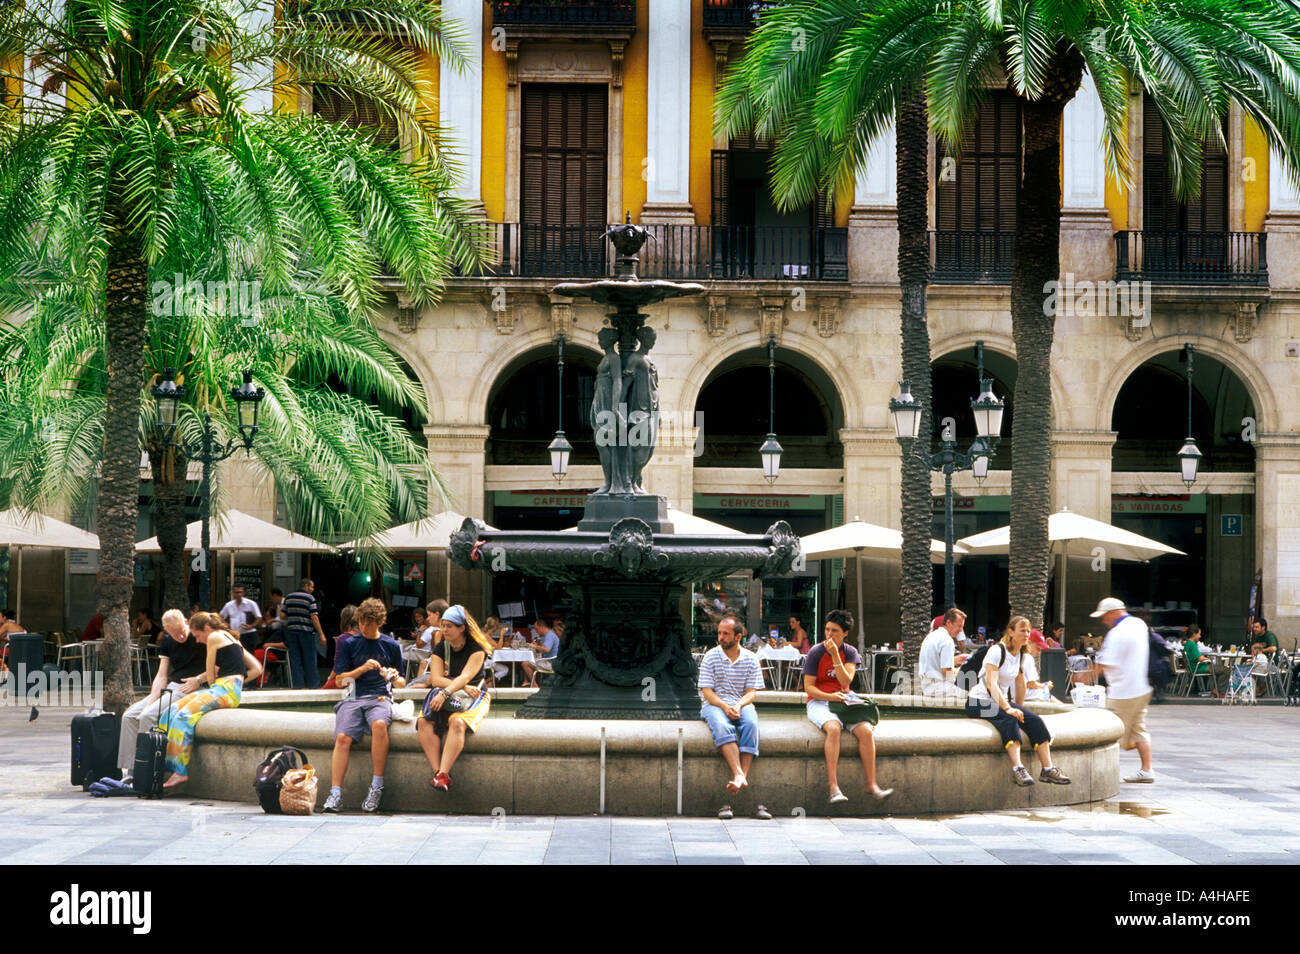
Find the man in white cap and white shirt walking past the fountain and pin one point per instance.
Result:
(1124, 661)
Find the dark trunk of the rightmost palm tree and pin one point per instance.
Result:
(1038, 262)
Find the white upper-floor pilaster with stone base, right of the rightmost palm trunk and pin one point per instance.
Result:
(1087, 244)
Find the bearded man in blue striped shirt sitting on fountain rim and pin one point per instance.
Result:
(729, 677)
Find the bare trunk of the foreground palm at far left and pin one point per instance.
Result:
(120, 467)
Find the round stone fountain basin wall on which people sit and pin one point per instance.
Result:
(935, 758)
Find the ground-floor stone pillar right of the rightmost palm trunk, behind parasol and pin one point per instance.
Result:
(1081, 480)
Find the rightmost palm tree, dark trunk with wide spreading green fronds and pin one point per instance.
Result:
(825, 77)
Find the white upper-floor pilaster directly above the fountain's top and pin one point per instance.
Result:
(669, 116)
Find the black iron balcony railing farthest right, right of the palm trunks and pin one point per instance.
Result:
(1193, 258)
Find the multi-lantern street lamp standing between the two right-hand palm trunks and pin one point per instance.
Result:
(907, 413)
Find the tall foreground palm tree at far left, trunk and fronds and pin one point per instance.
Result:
(140, 136)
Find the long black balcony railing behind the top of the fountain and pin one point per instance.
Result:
(674, 251)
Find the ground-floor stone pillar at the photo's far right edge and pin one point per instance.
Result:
(1277, 518)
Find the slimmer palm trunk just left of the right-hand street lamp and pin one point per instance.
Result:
(917, 586)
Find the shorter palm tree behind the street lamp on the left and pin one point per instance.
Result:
(343, 467)
